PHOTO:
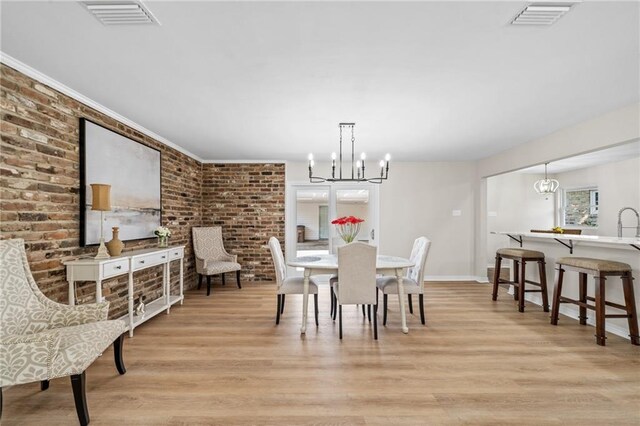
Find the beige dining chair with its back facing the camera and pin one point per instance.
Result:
(356, 283)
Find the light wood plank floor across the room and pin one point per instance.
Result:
(222, 360)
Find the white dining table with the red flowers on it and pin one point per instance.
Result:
(328, 264)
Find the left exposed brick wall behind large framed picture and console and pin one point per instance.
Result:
(39, 202)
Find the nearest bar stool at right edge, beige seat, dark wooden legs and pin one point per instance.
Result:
(600, 269)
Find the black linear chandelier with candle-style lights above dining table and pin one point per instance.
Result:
(357, 167)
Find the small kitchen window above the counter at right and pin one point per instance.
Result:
(580, 207)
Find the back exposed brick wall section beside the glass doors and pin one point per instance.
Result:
(247, 200)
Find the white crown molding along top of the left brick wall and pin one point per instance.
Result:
(54, 84)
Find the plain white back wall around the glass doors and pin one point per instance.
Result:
(418, 199)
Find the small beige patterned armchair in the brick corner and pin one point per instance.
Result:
(211, 257)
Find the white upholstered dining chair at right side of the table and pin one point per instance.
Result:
(413, 281)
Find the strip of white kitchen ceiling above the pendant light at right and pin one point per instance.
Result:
(590, 159)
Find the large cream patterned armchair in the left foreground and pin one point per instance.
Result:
(42, 340)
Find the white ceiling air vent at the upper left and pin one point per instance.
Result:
(125, 12)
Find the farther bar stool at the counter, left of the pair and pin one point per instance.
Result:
(520, 258)
